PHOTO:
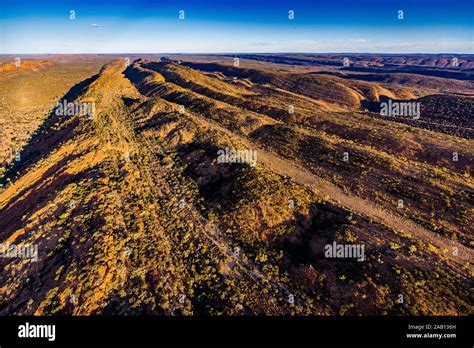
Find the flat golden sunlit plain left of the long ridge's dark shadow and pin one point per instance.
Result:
(28, 92)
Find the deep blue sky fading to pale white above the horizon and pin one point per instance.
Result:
(145, 26)
